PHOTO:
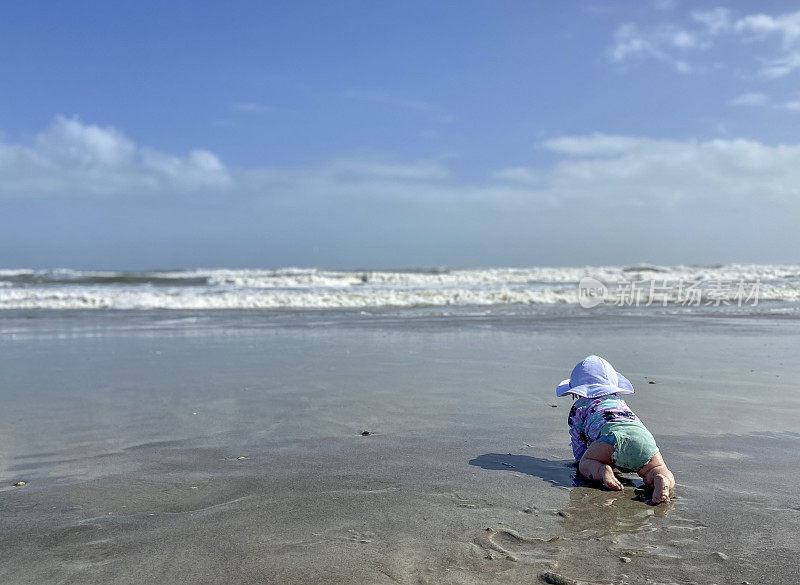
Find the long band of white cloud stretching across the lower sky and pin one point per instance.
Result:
(591, 172)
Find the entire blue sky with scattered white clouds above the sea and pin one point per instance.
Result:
(398, 134)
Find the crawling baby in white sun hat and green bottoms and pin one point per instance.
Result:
(605, 431)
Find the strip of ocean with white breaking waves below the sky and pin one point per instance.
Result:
(735, 288)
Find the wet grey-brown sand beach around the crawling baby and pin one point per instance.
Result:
(229, 450)
